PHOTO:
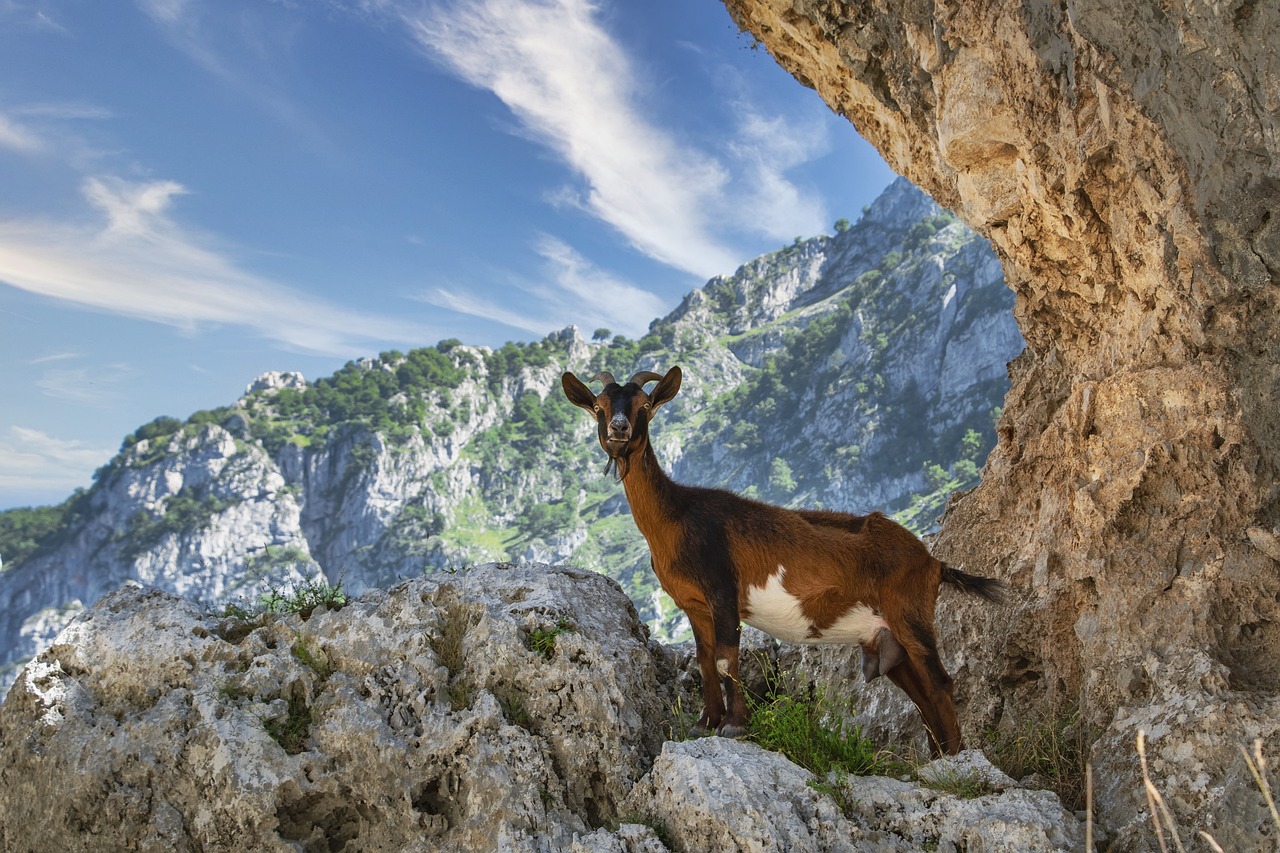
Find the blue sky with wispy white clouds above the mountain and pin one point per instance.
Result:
(194, 193)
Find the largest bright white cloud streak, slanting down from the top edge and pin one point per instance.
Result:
(574, 90)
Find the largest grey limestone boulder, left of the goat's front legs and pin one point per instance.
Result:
(412, 719)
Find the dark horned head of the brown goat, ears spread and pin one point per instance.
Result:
(623, 412)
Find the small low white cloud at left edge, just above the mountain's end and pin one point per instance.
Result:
(36, 463)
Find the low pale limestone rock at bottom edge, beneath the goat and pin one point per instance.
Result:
(717, 795)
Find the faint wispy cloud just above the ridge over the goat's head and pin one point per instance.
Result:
(572, 290)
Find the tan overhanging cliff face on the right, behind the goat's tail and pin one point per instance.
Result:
(1124, 161)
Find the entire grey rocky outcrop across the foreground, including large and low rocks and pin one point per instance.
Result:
(502, 709)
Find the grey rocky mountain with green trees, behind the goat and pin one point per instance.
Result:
(858, 371)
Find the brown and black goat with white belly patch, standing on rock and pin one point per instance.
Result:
(802, 576)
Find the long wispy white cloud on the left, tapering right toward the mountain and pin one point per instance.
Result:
(141, 263)
